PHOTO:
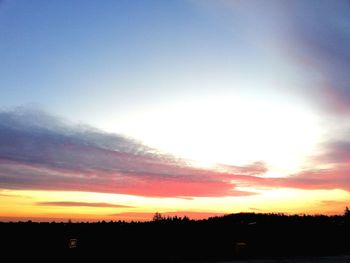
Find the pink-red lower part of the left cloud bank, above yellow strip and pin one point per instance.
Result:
(194, 182)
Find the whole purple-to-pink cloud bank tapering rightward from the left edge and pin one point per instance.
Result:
(41, 152)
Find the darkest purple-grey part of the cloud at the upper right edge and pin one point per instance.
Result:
(322, 32)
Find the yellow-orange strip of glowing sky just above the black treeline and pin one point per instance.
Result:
(23, 204)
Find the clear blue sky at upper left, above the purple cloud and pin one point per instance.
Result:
(110, 56)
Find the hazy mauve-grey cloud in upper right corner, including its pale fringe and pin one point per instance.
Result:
(309, 38)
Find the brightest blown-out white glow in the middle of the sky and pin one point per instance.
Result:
(230, 130)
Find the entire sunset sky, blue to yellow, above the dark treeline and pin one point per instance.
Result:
(115, 110)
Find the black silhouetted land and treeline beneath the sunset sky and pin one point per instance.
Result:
(179, 239)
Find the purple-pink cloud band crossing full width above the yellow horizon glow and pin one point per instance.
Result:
(41, 158)
